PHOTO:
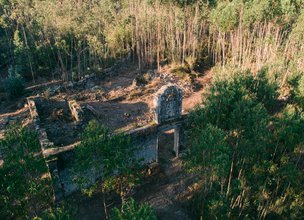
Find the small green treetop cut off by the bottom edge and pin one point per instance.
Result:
(130, 210)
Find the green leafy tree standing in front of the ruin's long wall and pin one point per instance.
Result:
(109, 156)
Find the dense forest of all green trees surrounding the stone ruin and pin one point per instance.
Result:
(245, 139)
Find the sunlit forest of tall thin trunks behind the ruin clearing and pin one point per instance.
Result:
(72, 38)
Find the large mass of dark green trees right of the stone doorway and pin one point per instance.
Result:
(251, 160)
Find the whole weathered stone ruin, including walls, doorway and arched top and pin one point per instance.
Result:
(168, 108)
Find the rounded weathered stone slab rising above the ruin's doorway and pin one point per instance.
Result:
(167, 103)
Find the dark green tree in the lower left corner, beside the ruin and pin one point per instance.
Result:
(25, 186)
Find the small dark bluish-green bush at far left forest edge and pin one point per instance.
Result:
(14, 85)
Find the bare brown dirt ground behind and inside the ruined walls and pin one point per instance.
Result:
(113, 101)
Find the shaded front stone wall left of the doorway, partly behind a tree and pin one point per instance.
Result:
(145, 140)
